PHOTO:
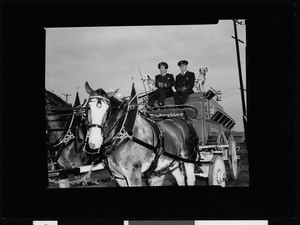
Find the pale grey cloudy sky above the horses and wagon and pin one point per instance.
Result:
(113, 57)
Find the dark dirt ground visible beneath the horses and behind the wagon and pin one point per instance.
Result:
(102, 178)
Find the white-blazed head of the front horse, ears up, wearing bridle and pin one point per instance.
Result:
(98, 108)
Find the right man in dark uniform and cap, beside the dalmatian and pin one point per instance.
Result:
(184, 84)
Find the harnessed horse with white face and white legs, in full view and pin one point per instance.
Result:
(131, 154)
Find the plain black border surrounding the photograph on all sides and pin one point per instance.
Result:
(271, 114)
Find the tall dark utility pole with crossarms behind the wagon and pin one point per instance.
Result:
(240, 73)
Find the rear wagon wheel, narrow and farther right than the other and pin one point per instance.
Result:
(233, 159)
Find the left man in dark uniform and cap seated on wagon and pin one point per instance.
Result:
(164, 82)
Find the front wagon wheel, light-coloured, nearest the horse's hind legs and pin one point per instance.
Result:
(217, 172)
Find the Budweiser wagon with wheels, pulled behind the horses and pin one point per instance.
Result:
(217, 150)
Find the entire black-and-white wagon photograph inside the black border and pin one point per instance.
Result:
(146, 105)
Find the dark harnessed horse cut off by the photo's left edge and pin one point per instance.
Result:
(65, 134)
